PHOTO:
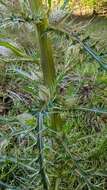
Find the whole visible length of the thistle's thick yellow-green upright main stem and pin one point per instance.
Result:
(47, 62)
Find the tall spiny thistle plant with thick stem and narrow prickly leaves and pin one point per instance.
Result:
(50, 145)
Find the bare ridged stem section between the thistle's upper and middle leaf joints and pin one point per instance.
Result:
(47, 62)
